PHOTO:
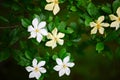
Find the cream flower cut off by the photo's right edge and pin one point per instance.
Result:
(115, 19)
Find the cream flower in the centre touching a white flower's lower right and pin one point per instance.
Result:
(55, 38)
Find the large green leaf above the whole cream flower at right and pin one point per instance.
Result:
(92, 10)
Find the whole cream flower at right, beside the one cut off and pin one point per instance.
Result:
(98, 25)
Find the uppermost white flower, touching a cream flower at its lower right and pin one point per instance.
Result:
(37, 30)
